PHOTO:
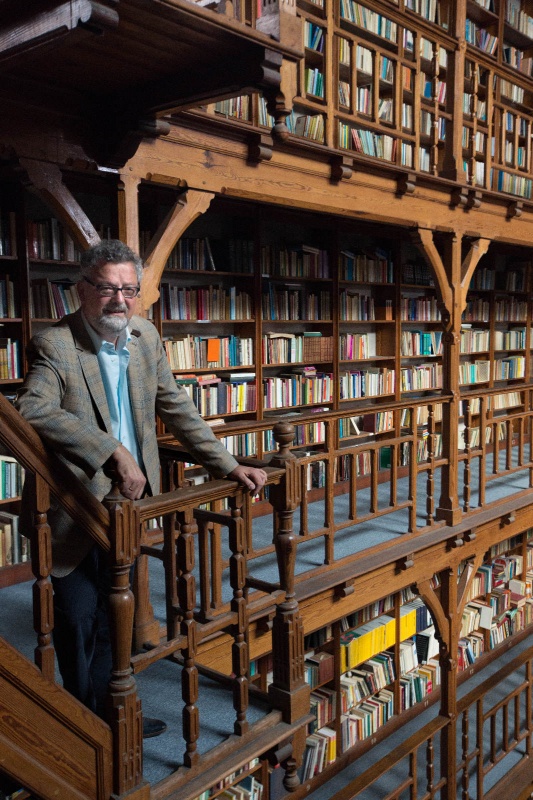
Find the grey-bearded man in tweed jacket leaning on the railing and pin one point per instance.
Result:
(96, 381)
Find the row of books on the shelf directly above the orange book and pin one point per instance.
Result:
(213, 303)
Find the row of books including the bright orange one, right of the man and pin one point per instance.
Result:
(208, 352)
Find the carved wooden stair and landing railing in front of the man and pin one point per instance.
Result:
(116, 526)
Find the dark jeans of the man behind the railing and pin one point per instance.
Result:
(81, 630)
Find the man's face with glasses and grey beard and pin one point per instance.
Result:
(109, 315)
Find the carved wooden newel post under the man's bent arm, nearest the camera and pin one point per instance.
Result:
(124, 706)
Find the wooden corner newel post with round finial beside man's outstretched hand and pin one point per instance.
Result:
(288, 691)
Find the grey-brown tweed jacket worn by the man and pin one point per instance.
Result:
(63, 397)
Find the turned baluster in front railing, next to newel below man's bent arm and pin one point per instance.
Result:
(187, 601)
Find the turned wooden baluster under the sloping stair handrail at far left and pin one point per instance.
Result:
(41, 563)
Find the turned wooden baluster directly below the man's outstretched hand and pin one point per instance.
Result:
(240, 655)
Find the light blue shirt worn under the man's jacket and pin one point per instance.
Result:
(113, 362)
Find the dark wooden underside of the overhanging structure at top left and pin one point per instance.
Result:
(106, 71)
